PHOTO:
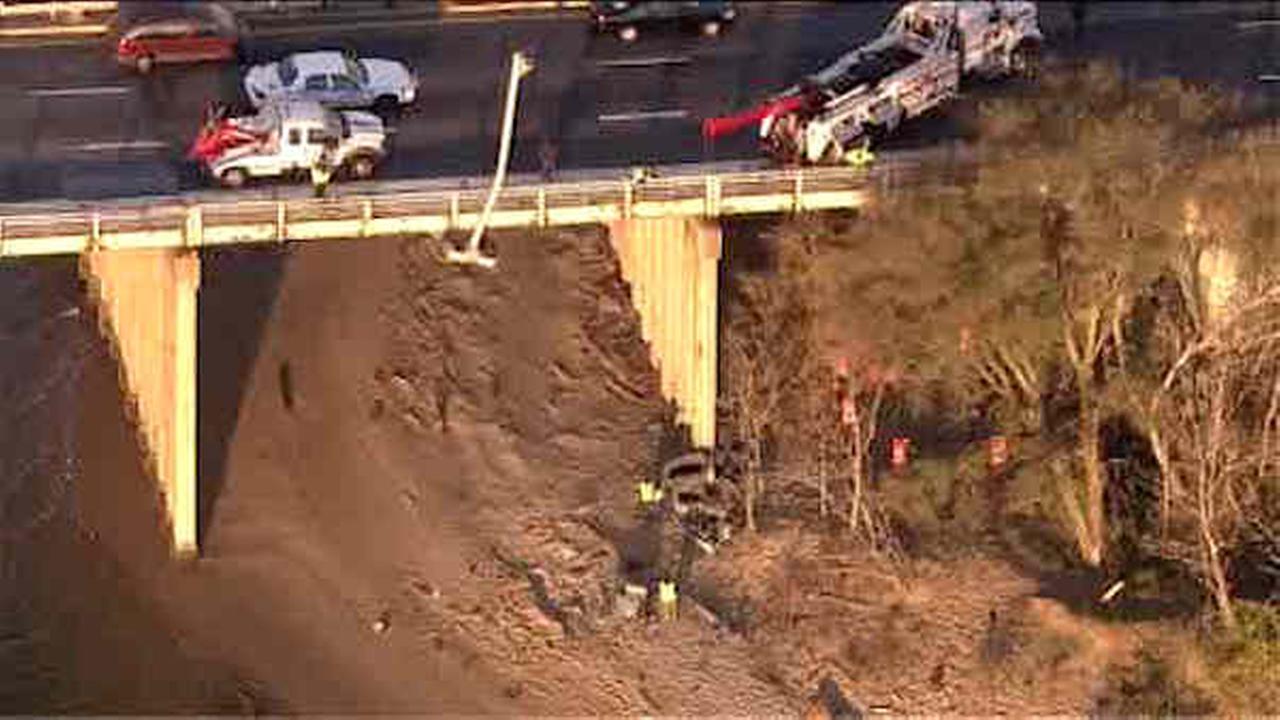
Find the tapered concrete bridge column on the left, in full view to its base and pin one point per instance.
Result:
(148, 309)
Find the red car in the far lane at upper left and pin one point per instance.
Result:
(199, 35)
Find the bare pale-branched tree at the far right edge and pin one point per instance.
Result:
(1213, 398)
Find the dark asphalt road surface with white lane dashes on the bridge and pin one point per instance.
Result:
(79, 127)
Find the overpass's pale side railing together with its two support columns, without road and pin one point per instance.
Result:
(143, 263)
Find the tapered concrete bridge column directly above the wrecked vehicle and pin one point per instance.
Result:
(673, 266)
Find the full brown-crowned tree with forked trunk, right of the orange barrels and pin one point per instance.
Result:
(1105, 157)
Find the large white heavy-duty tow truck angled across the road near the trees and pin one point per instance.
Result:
(917, 65)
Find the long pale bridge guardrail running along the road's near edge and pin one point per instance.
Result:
(179, 224)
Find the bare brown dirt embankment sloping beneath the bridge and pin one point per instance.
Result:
(423, 505)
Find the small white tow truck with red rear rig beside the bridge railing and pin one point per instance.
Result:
(289, 138)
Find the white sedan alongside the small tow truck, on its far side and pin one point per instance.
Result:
(335, 80)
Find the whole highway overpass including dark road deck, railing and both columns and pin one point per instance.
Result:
(79, 127)
